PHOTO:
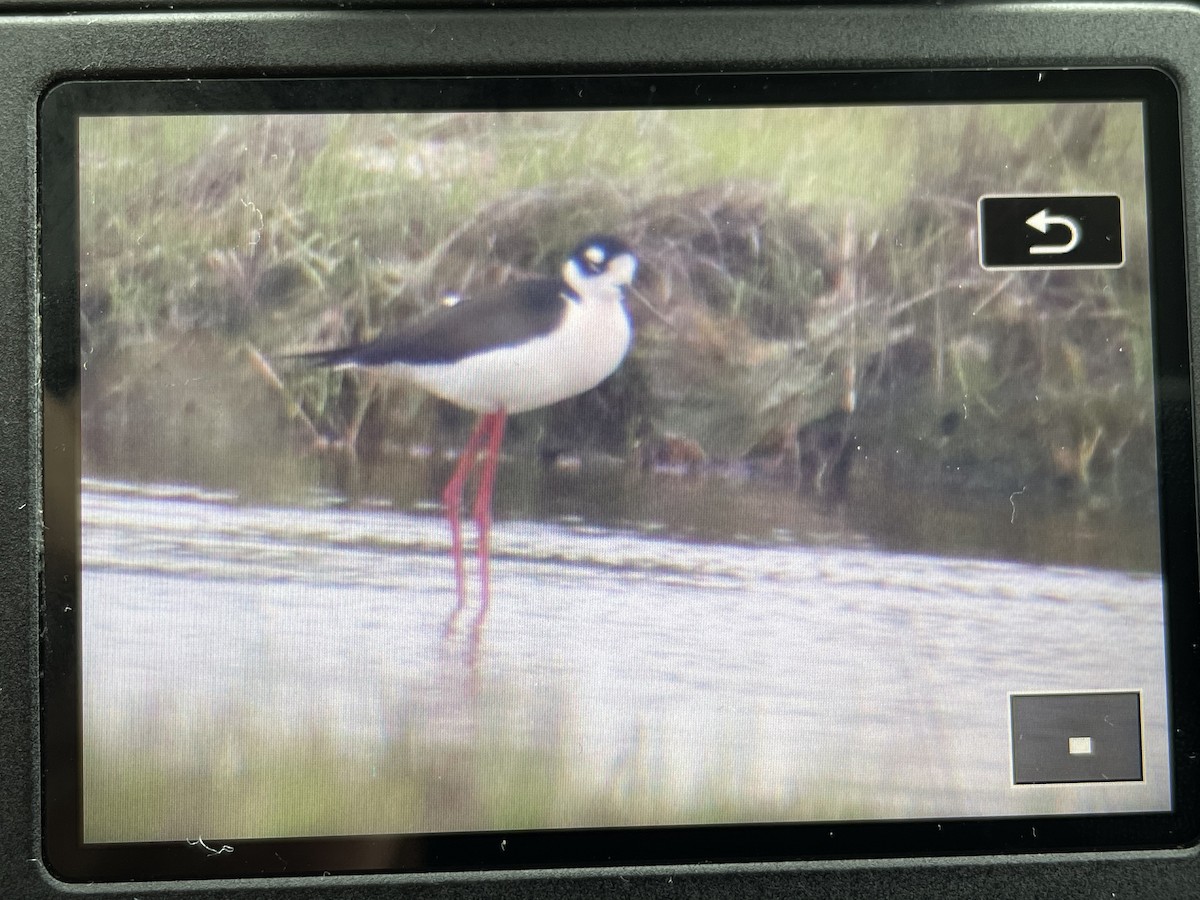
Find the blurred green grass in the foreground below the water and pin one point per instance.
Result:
(233, 777)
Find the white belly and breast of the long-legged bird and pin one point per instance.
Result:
(589, 346)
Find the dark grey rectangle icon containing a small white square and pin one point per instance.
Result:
(1071, 739)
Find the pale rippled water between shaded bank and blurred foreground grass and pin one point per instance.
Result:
(775, 669)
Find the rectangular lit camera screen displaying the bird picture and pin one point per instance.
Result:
(451, 469)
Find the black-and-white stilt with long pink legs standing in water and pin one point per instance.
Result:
(520, 347)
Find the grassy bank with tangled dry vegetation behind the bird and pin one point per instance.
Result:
(827, 317)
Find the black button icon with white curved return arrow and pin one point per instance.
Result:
(1051, 232)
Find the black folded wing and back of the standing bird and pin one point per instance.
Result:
(505, 317)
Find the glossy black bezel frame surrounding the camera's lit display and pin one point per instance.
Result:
(70, 860)
